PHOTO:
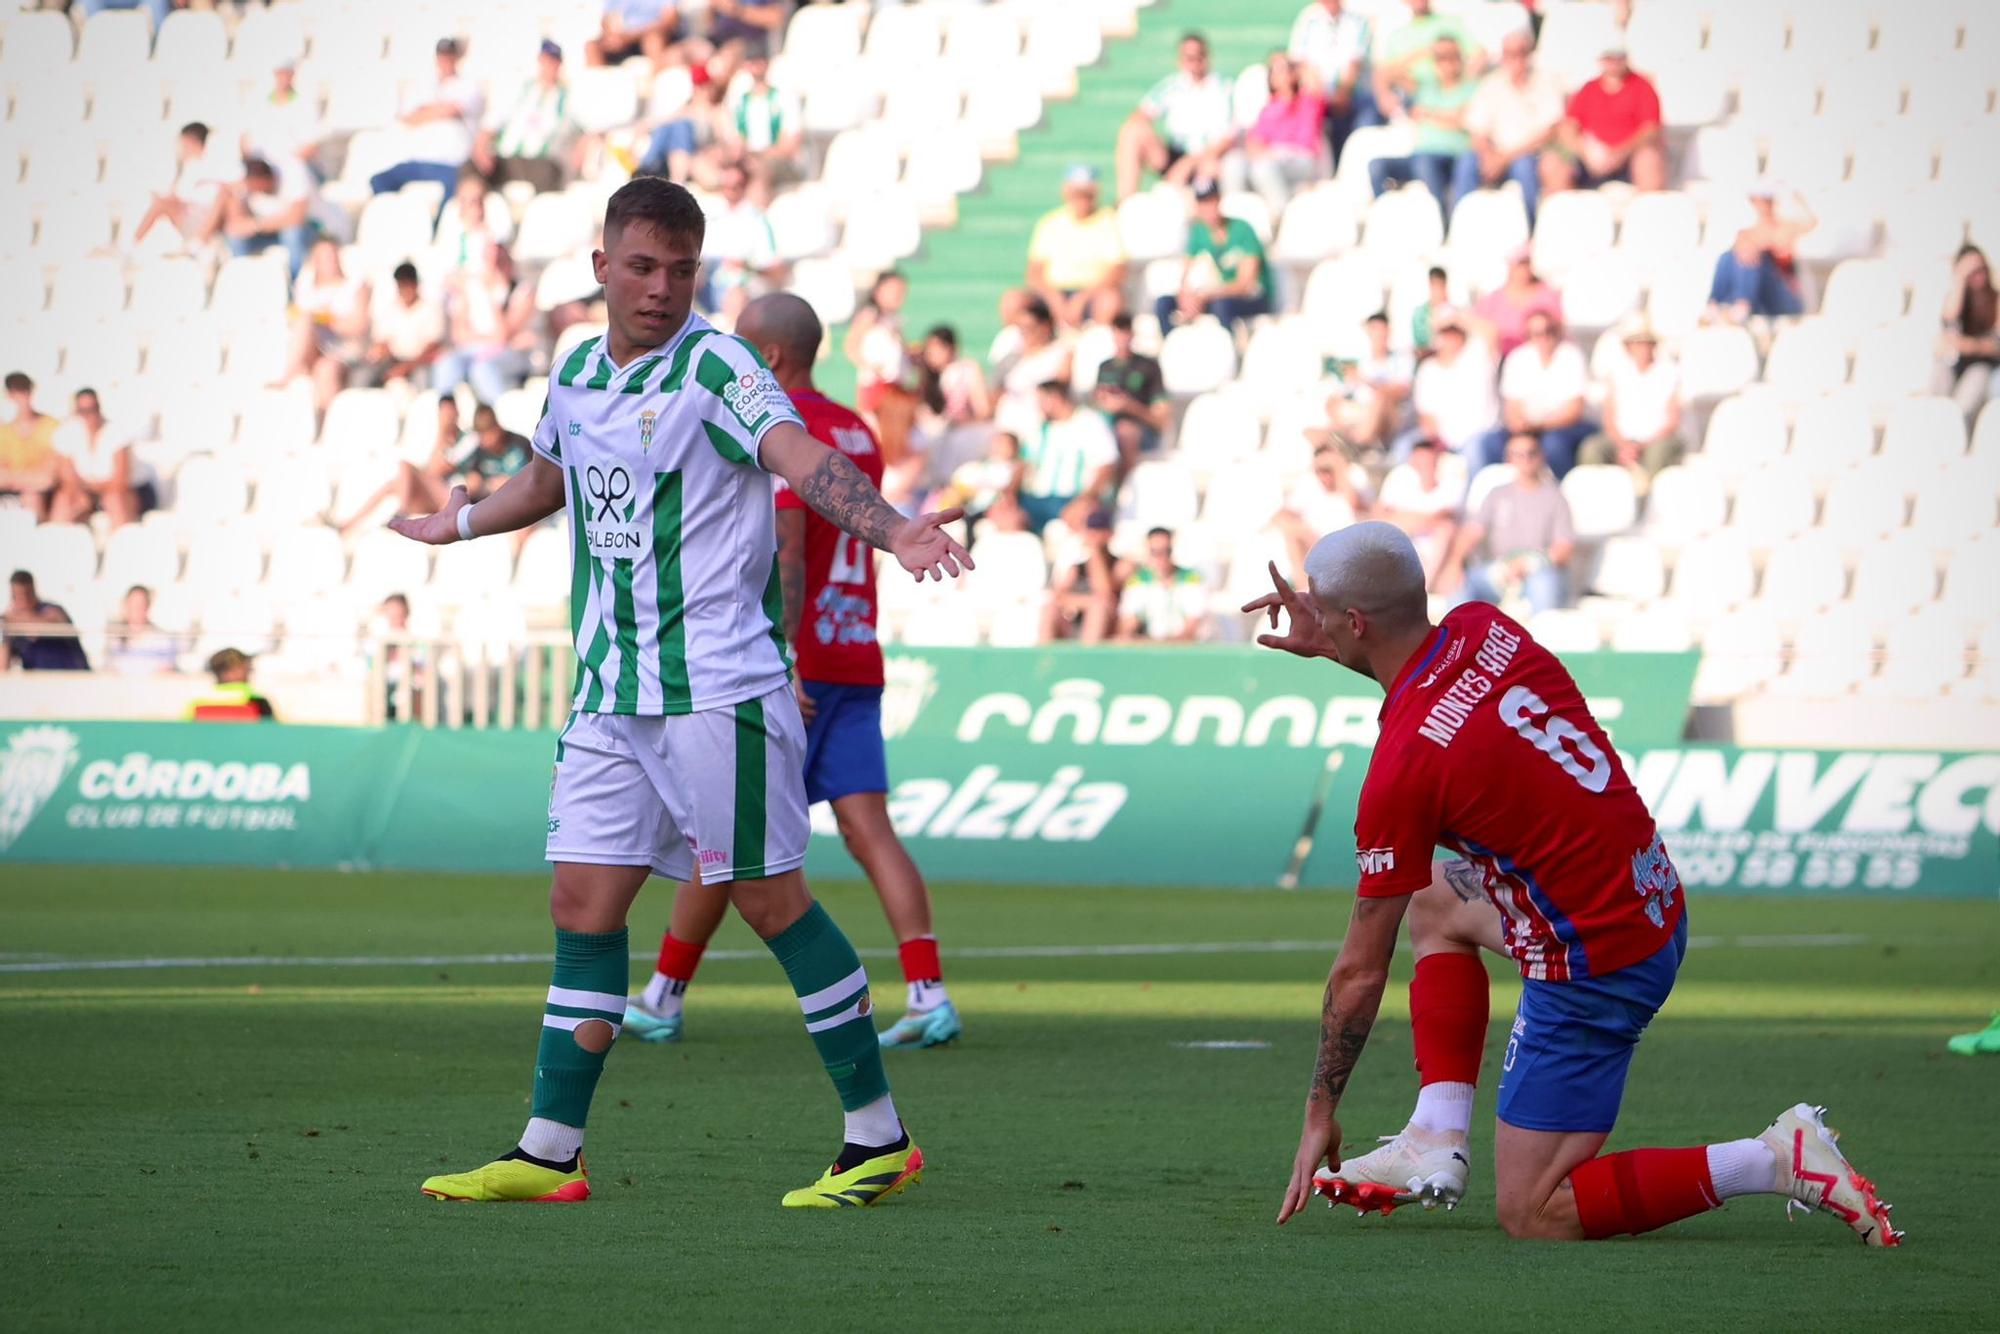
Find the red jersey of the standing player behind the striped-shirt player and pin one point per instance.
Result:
(837, 635)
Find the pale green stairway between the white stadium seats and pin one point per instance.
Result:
(961, 273)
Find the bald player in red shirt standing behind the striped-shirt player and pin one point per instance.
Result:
(831, 625)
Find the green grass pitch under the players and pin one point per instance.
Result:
(239, 1147)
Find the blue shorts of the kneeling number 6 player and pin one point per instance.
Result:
(1573, 1043)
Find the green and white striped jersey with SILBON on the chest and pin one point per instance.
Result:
(673, 571)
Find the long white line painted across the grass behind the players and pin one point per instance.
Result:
(1005, 951)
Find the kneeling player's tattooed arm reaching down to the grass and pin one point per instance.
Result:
(1347, 1015)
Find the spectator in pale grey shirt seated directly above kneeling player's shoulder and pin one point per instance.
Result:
(1519, 543)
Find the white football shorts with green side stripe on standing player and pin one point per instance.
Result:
(723, 787)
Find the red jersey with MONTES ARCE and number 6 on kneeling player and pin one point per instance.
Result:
(1487, 749)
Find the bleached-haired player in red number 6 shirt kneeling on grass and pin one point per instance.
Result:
(1487, 749)
